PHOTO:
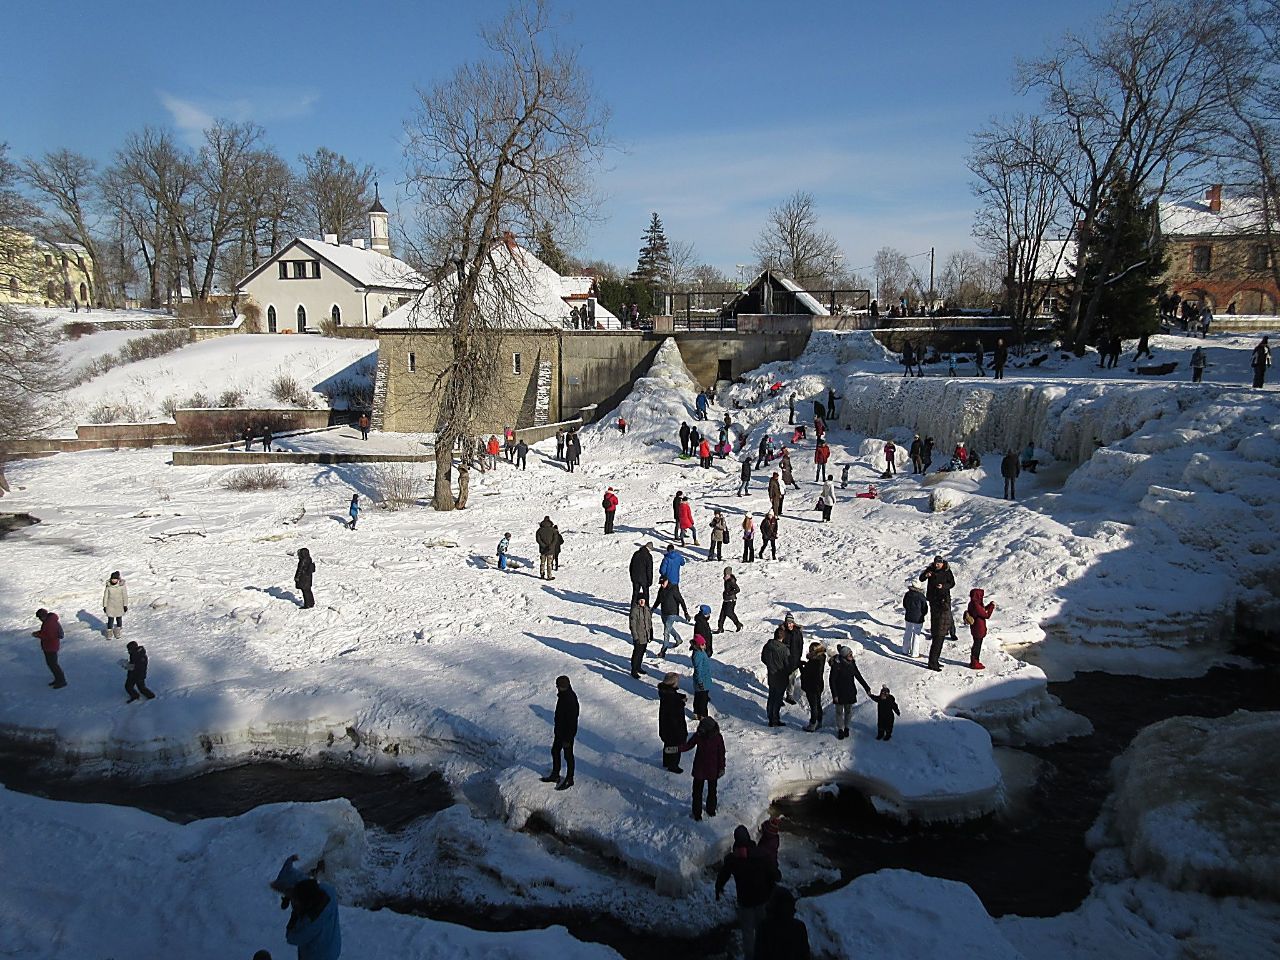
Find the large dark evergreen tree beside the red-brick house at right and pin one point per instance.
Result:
(1128, 226)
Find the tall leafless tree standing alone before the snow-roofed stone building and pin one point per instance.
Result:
(502, 148)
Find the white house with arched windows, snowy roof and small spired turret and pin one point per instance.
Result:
(351, 285)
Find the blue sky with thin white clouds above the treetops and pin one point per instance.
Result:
(720, 109)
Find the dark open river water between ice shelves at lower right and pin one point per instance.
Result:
(1034, 862)
